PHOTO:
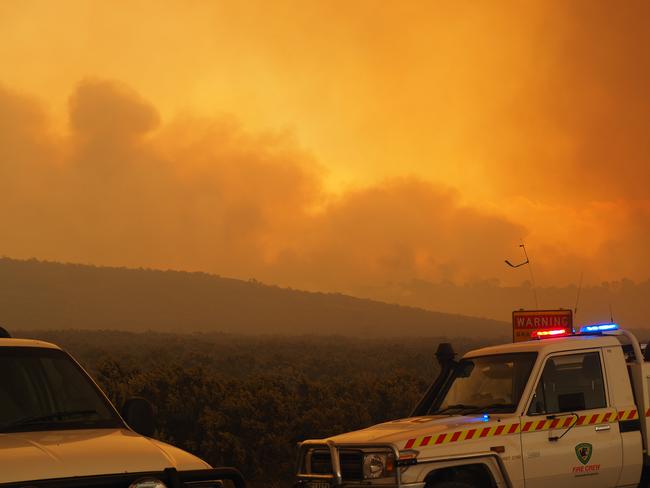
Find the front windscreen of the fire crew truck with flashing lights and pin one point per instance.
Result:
(488, 384)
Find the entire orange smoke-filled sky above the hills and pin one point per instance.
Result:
(329, 145)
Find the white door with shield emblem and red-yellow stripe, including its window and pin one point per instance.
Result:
(569, 434)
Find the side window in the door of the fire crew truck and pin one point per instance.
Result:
(569, 384)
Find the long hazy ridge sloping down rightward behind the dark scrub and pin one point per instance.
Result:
(48, 295)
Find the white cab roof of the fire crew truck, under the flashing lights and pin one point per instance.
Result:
(546, 346)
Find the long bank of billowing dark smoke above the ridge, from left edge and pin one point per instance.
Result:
(124, 188)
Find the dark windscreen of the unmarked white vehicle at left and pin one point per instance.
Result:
(44, 389)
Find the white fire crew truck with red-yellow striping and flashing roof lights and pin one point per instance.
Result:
(563, 410)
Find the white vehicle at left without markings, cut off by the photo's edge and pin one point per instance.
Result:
(58, 430)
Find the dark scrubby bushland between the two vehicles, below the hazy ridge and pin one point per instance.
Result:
(246, 401)
